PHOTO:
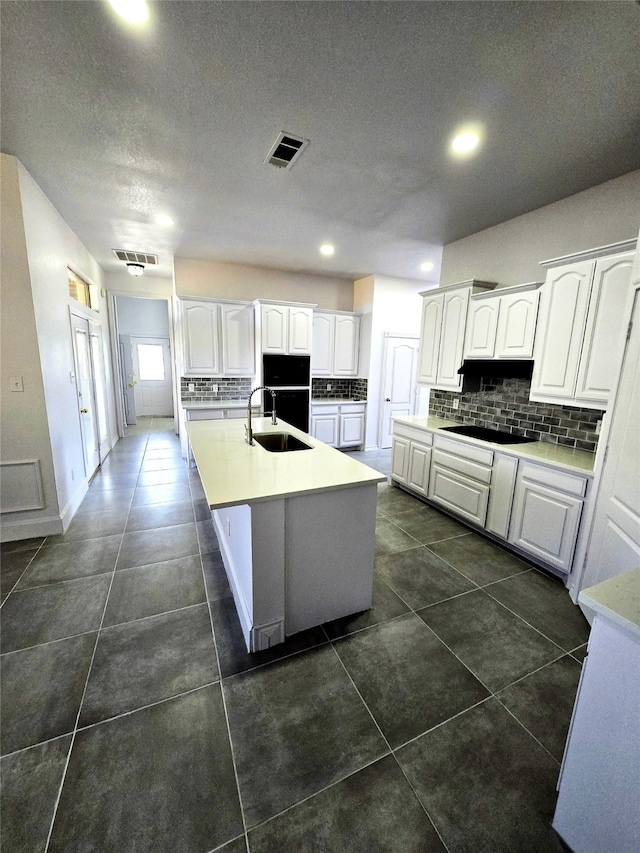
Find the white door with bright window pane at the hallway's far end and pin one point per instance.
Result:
(151, 360)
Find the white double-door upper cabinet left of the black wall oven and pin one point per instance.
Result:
(218, 338)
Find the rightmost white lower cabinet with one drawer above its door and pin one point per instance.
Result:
(546, 512)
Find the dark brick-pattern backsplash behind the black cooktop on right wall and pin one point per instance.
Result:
(505, 404)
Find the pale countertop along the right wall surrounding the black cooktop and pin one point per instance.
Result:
(580, 461)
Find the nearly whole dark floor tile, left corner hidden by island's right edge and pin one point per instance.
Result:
(421, 578)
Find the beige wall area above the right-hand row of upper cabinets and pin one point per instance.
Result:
(510, 253)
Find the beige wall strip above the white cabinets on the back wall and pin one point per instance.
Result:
(214, 279)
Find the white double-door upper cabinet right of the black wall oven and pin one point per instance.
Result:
(336, 342)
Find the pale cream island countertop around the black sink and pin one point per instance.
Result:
(234, 473)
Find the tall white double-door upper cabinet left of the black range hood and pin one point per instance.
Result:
(444, 322)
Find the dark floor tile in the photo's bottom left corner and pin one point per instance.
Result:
(30, 782)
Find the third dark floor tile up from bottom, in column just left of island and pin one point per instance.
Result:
(158, 588)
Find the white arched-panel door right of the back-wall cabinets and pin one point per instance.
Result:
(399, 382)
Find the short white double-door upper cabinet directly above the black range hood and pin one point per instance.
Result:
(502, 324)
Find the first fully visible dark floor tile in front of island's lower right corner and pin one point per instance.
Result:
(407, 677)
